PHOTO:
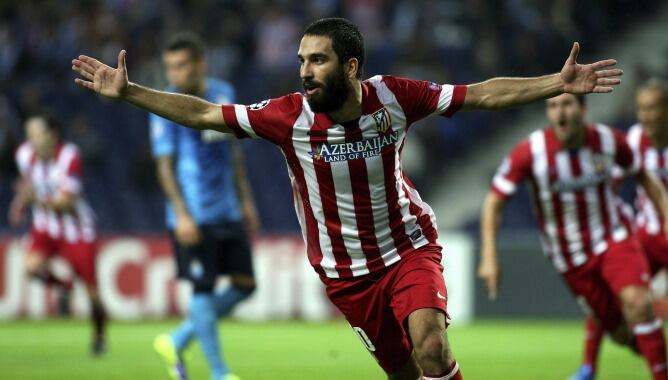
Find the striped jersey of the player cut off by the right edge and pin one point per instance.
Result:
(654, 160)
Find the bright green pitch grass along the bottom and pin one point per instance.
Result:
(58, 349)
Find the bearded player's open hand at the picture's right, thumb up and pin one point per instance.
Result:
(588, 78)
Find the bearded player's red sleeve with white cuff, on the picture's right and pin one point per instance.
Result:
(420, 99)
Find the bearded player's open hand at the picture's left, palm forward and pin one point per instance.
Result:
(101, 78)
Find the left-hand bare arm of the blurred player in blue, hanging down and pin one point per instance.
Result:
(186, 230)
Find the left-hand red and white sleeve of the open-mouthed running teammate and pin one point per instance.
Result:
(512, 171)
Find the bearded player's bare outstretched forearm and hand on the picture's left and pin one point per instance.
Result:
(113, 83)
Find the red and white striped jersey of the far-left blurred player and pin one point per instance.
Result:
(61, 174)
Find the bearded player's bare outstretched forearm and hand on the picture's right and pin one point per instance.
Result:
(500, 93)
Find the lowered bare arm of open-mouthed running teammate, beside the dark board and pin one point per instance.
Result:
(489, 270)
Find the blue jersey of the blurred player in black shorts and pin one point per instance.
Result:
(203, 163)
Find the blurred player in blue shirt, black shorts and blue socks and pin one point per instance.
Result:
(209, 210)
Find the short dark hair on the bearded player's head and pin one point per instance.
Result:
(347, 40)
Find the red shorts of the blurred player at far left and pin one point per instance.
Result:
(80, 255)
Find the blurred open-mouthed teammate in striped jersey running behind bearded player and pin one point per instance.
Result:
(584, 230)
